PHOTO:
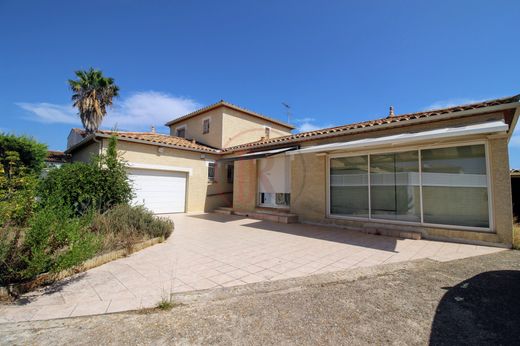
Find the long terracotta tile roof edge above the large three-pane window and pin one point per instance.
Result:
(373, 124)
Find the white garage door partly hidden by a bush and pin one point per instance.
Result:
(159, 191)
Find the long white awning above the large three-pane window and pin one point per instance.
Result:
(405, 138)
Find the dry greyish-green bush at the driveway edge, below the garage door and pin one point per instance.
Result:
(124, 225)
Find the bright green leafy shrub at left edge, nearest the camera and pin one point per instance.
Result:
(55, 240)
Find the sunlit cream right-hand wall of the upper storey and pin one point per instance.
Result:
(240, 128)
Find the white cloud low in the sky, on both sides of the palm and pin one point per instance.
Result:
(138, 111)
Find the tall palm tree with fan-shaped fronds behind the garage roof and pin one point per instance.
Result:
(92, 94)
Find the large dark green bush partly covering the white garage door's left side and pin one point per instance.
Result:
(97, 185)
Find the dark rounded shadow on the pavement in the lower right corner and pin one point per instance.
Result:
(483, 310)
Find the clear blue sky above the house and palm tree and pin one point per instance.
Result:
(334, 62)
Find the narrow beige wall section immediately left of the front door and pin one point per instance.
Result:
(245, 186)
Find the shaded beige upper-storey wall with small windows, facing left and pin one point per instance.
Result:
(194, 128)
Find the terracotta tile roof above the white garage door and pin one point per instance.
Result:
(152, 138)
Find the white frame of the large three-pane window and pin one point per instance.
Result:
(419, 148)
